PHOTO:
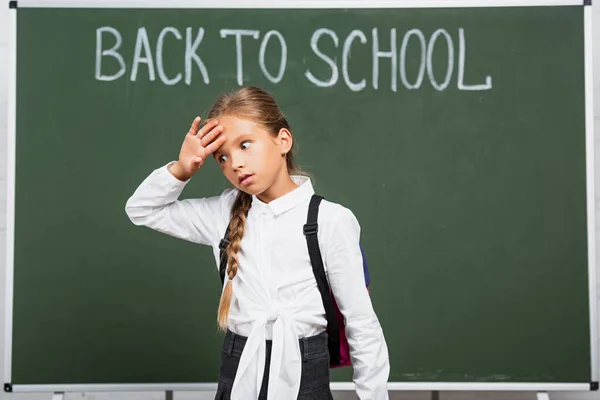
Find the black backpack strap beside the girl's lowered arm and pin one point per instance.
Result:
(310, 231)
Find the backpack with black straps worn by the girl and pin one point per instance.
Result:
(339, 349)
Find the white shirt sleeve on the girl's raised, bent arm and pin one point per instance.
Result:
(154, 204)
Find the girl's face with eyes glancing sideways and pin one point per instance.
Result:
(251, 158)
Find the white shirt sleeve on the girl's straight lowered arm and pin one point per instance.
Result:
(368, 349)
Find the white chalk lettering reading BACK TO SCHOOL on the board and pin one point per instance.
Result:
(411, 60)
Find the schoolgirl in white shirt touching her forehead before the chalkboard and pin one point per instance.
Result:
(275, 344)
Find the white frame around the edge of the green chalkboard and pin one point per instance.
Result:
(10, 183)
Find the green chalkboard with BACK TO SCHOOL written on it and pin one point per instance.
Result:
(456, 135)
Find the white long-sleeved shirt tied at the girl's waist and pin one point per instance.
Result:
(275, 294)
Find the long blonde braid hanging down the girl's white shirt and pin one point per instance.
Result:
(239, 211)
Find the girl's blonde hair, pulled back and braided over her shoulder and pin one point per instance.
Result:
(257, 105)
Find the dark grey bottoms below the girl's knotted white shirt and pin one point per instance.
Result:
(314, 383)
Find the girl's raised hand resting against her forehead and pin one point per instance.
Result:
(197, 146)
